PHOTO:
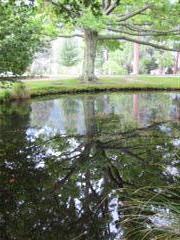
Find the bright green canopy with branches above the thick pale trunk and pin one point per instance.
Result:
(122, 19)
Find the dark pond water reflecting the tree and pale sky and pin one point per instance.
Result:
(95, 167)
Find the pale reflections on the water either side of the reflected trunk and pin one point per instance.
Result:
(68, 116)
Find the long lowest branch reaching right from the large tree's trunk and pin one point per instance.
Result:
(120, 37)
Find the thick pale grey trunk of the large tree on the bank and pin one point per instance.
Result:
(89, 55)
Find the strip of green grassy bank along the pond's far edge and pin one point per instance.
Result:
(32, 88)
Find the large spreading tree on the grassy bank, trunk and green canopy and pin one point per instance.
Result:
(118, 20)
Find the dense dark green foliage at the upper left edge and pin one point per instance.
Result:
(20, 37)
